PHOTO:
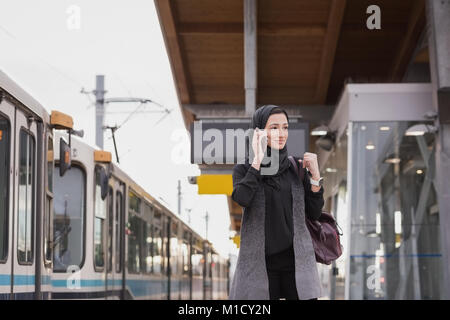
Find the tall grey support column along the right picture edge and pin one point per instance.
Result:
(438, 21)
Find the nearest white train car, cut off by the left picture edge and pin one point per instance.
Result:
(26, 192)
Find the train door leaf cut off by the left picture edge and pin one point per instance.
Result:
(6, 196)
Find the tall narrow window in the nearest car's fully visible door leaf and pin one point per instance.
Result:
(25, 223)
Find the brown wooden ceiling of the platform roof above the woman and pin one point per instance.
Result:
(307, 49)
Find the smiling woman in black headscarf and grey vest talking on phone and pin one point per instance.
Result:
(276, 257)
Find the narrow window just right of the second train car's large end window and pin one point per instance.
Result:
(99, 223)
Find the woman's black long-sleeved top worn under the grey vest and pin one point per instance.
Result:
(278, 218)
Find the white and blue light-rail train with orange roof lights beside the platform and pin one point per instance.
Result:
(74, 225)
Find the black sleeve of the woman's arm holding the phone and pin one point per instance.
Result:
(245, 184)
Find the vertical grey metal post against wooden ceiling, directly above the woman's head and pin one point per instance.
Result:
(250, 55)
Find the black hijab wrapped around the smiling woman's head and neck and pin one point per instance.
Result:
(259, 120)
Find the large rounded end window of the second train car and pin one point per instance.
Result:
(68, 222)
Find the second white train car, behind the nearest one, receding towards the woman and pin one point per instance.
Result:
(121, 243)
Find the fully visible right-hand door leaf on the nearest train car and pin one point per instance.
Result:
(25, 207)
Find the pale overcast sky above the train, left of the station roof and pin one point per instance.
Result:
(52, 54)
